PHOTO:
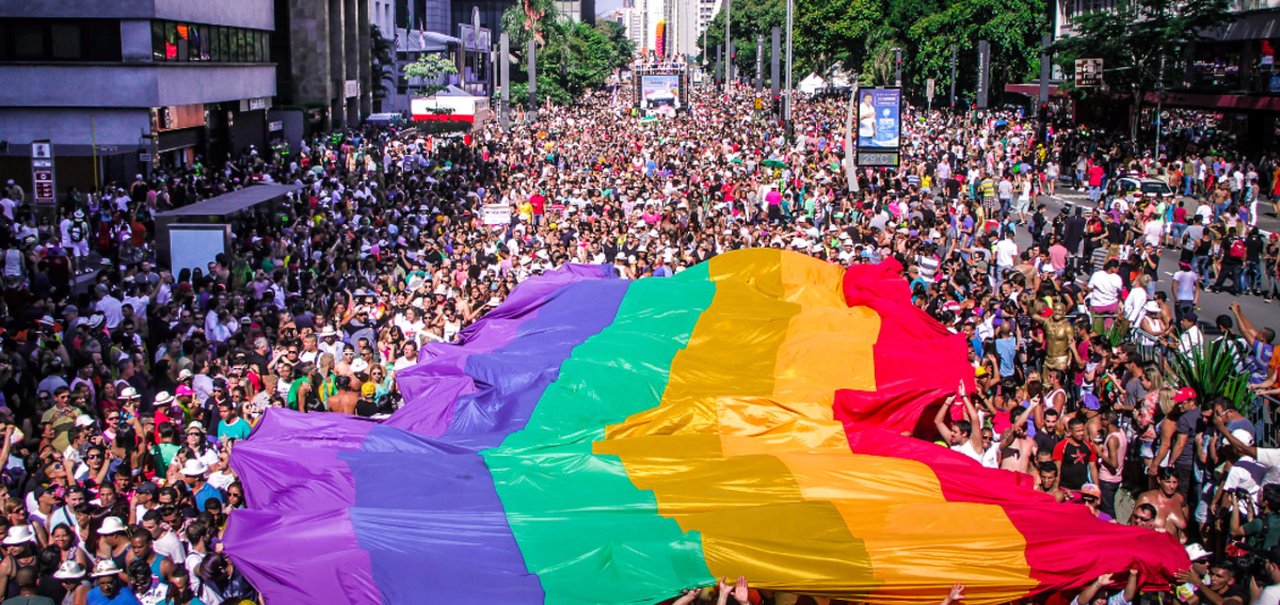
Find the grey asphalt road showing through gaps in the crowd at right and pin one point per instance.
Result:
(1212, 305)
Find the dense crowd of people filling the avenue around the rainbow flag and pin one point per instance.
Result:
(126, 387)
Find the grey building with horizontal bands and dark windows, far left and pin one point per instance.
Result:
(121, 86)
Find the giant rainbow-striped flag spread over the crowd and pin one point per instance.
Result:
(597, 441)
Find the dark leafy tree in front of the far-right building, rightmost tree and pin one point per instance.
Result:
(1140, 42)
